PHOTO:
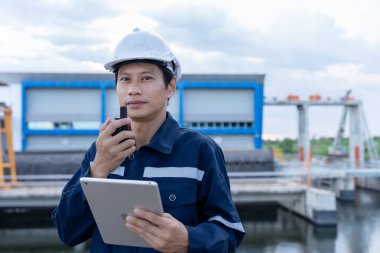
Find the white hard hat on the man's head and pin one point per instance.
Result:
(143, 45)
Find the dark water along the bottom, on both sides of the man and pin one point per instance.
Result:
(270, 229)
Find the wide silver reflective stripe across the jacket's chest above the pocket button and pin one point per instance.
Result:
(184, 172)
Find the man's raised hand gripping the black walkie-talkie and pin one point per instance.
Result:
(111, 150)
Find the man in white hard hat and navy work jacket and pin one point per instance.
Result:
(188, 166)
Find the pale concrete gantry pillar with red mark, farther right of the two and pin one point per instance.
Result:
(356, 153)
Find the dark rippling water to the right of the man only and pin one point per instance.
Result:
(277, 230)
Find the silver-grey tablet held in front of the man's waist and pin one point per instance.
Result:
(111, 200)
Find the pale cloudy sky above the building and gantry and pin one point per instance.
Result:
(303, 47)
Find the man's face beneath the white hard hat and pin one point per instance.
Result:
(141, 87)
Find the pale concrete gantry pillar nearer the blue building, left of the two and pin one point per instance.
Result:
(303, 132)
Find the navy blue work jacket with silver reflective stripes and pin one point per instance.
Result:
(184, 163)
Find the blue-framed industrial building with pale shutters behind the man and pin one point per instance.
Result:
(63, 111)
